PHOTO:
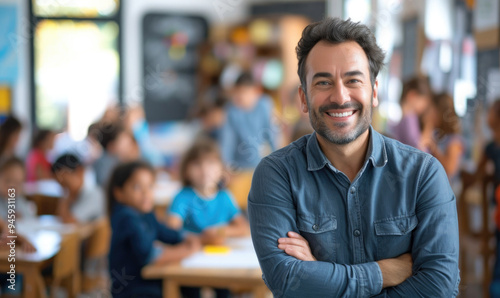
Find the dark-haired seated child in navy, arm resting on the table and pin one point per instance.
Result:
(135, 229)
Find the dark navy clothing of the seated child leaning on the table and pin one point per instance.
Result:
(132, 249)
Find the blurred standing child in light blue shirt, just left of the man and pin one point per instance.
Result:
(248, 127)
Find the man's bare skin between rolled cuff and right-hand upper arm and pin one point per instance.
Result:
(396, 271)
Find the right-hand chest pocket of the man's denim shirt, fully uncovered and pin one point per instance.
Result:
(394, 236)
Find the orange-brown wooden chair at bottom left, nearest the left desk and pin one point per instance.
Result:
(66, 267)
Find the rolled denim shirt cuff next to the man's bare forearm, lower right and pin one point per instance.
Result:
(370, 278)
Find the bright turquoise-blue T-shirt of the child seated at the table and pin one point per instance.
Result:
(200, 213)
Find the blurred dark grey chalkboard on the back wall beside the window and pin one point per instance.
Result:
(170, 60)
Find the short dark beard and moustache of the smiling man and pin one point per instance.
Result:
(318, 121)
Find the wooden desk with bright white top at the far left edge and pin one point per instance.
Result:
(30, 265)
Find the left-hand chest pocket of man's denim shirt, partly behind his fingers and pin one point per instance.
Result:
(320, 232)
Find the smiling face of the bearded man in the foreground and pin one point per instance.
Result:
(339, 96)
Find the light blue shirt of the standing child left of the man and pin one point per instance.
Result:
(244, 134)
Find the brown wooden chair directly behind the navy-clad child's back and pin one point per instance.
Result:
(96, 252)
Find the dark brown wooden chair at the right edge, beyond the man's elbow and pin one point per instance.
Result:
(476, 242)
